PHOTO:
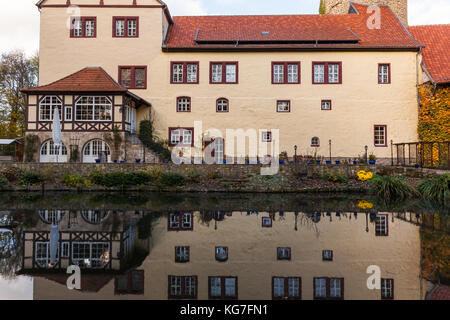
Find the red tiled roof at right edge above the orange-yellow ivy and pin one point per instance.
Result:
(436, 55)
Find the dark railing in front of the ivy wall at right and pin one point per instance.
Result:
(423, 154)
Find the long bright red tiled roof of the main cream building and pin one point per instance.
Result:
(290, 31)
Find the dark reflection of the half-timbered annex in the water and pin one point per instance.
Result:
(101, 243)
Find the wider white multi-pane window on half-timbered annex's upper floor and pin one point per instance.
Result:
(89, 108)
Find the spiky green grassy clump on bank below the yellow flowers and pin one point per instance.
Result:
(391, 188)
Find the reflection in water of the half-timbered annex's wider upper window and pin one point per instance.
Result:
(90, 255)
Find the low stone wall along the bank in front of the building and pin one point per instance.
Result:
(235, 171)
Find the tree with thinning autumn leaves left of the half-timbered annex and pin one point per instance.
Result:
(17, 71)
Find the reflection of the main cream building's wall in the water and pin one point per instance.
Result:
(233, 255)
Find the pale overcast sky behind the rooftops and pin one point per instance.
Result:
(19, 19)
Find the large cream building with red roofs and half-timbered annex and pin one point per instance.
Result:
(323, 81)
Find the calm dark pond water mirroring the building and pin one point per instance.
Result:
(217, 246)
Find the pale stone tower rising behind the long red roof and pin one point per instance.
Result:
(400, 7)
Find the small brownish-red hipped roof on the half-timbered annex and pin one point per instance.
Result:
(86, 80)
